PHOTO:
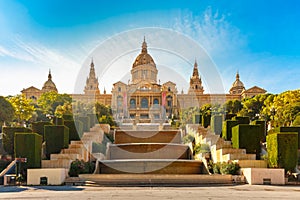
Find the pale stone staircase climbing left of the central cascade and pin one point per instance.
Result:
(77, 150)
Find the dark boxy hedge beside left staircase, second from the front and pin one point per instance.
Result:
(57, 138)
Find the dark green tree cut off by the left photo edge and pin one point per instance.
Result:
(6, 111)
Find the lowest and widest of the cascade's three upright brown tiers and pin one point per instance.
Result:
(150, 166)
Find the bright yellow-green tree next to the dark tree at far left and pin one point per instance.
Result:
(23, 108)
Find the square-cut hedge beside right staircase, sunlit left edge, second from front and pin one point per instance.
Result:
(247, 137)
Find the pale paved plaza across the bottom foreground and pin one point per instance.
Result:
(222, 192)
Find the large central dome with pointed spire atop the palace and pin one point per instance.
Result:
(144, 68)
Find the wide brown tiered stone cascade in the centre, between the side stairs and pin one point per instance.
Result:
(148, 158)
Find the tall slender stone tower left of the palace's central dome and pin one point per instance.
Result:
(92, 84)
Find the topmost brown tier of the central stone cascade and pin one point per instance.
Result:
(169, 136)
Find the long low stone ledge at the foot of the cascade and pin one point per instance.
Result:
(155, 179)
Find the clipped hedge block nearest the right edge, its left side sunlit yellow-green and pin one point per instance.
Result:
(283, 150)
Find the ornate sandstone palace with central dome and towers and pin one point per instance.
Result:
(145, 99)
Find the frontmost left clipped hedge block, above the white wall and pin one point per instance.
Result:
(29, 146)
